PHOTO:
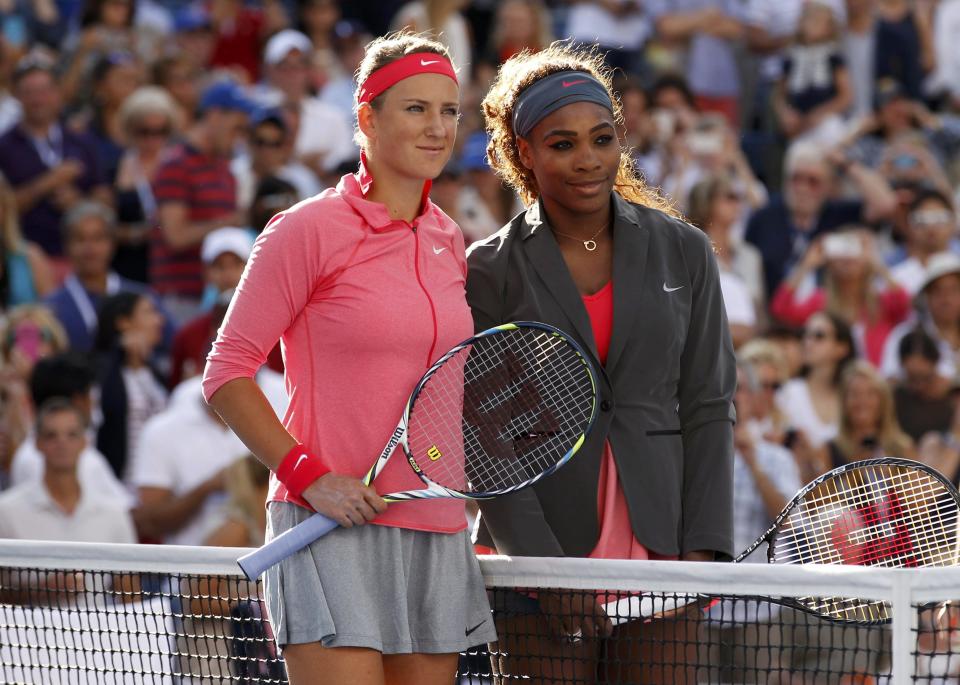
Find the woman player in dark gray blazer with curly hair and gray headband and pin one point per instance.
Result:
(599, 254)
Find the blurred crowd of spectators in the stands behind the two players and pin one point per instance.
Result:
(145, 143)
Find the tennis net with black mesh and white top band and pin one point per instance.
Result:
(83, 614)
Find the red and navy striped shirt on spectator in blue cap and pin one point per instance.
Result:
(205, 185)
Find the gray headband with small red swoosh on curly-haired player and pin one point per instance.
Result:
(551, 93)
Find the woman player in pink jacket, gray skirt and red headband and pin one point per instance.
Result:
(364, 285)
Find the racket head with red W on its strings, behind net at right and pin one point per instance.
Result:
(885, 512)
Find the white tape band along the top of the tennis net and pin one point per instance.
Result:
(499, 571)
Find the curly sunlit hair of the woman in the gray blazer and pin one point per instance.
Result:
(521, 71)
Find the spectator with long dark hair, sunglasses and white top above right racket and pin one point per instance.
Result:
(812, 402)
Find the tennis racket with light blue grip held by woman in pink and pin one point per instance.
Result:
(497, 413)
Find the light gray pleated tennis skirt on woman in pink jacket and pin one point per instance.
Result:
(391, 589)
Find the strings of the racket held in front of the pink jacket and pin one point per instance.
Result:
(501, 412)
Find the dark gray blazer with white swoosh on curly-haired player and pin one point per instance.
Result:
(666, 391)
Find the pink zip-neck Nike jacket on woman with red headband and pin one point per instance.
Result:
(362, 304)
